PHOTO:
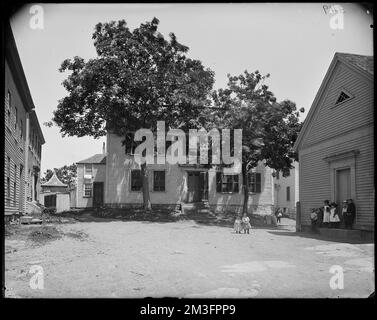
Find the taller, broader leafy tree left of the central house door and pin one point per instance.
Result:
(137, 78)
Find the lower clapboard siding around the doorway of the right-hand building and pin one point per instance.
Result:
(315, 178)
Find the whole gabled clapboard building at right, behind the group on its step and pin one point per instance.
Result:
(336, 145)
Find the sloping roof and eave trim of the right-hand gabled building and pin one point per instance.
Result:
(362, 64)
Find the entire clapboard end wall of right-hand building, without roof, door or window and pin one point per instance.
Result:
(335, 130)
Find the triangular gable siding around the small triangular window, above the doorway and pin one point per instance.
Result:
(331, 120)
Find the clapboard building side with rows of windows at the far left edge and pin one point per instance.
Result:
(23, 137)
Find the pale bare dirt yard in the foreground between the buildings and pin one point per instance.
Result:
(122, 259)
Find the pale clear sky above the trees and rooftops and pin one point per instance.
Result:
(294, 43)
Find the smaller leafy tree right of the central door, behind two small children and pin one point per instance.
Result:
(269, 128)
